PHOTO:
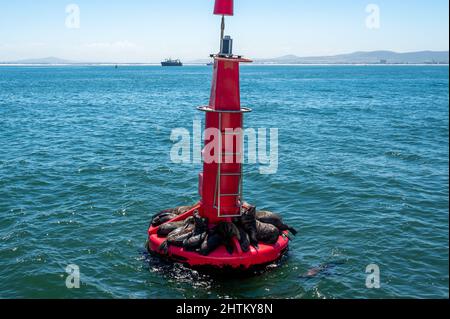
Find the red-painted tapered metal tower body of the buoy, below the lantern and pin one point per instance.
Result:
(225, 96)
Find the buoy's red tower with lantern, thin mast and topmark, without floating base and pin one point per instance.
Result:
(221, 182)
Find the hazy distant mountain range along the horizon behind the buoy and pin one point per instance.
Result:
(372, 57)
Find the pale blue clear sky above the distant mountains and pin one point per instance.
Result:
(149, 30)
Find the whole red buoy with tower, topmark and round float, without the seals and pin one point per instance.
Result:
(221, 182)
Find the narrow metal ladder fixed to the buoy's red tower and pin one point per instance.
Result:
(218, 191)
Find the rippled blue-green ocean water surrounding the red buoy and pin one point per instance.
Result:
(363, 175)
